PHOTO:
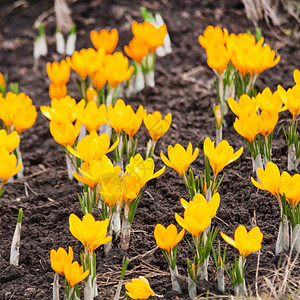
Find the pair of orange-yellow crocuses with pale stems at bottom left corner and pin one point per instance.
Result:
(62, 263)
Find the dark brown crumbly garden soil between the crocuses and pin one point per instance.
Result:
(184, 87)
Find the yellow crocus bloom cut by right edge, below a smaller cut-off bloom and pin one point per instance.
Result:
(291, 99)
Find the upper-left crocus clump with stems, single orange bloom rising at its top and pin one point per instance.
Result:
(101, 70)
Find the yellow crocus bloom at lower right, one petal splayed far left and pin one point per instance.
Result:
(245, 242)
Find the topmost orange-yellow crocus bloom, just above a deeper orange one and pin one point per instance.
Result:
(154, 37)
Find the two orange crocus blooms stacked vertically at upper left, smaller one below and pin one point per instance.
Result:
(59, 74)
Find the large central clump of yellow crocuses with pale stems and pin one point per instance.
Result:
(105, 184)
